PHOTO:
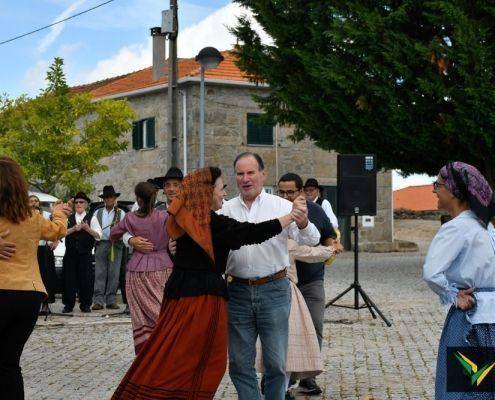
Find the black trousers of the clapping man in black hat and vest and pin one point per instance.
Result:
(78, 275)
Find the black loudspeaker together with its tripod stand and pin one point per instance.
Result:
(356, 195)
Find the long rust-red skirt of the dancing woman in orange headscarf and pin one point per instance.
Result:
(186, 355)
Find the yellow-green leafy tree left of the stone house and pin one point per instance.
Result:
(59, 137)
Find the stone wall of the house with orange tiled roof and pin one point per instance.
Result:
(226, 109)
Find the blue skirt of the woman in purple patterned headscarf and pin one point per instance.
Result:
(458, 332)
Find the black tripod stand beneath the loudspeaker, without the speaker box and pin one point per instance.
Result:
(358, 290)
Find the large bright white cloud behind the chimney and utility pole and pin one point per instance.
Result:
(211, 31)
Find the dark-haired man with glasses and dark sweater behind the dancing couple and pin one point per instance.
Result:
(311, 275)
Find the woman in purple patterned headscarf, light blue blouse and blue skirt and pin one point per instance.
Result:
(460, 268)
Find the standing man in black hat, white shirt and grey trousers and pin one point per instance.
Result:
(108, 255)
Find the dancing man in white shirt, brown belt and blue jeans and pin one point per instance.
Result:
(259, 291)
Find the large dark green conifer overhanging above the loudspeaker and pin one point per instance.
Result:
(412, 81)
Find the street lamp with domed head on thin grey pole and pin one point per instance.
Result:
(208, 58)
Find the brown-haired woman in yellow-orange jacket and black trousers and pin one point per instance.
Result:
(21, 287)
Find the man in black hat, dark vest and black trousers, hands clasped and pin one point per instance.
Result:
(78, 263)
